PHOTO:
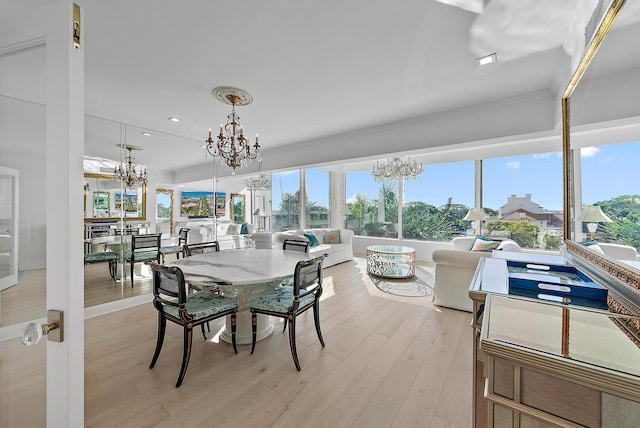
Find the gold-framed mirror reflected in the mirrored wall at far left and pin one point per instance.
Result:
(109, 201)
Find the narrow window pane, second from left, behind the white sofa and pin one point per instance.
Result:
(317, 198)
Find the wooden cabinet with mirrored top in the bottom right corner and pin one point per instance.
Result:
(542, 364)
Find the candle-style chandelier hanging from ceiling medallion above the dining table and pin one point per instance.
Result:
(230, 145)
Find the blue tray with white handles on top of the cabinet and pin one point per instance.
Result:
(556, 280)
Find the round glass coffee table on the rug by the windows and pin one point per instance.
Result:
(391, 261)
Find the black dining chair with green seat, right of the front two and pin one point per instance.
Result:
(289, 302)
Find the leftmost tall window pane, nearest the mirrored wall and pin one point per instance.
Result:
(285, 195)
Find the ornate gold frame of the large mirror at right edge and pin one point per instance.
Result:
(624, 294)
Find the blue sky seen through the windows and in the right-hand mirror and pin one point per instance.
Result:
(607, 170)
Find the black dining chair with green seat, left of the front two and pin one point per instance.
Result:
(188, 310)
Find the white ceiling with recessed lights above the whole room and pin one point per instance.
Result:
(316, 69)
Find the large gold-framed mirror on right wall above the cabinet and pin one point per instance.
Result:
(601, 116)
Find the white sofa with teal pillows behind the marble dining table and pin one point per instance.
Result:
(336, 253)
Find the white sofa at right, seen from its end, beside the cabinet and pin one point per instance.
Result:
(454, 272)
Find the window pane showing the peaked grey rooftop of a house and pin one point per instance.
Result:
(522, 196)
